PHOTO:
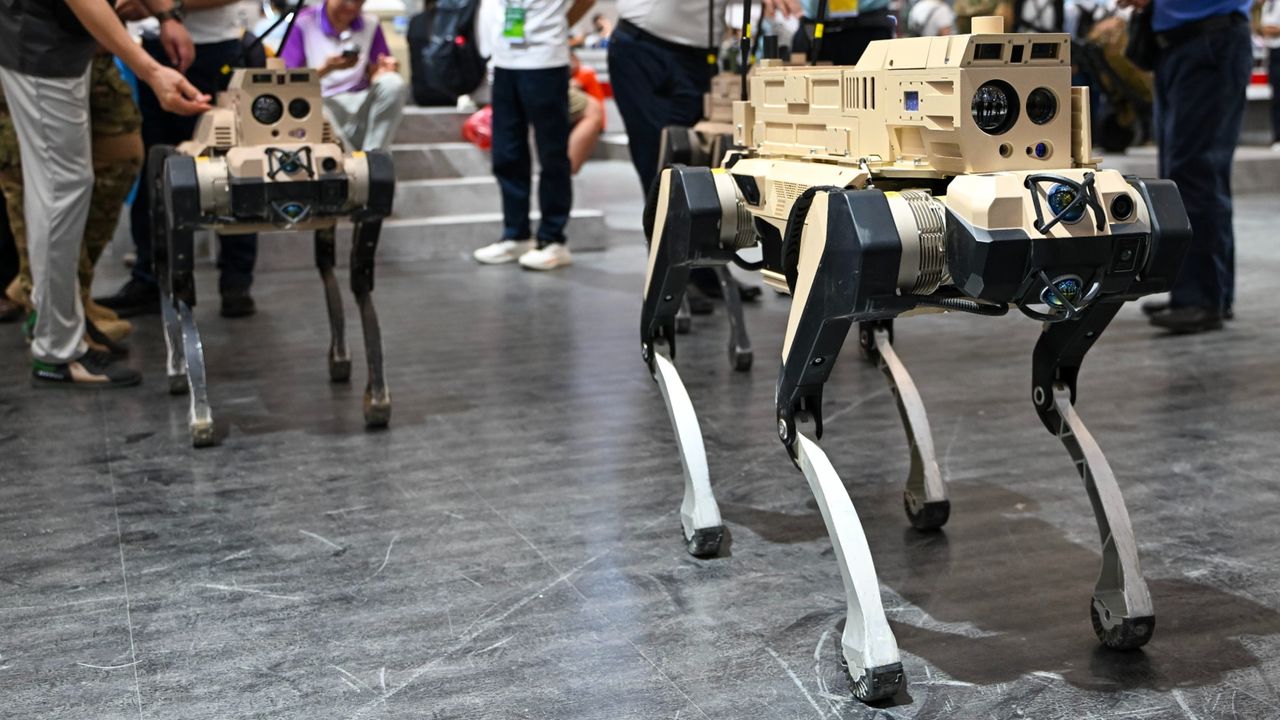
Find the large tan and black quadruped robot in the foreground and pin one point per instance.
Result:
(939, 175)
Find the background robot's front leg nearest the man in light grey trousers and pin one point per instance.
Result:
(176, 268)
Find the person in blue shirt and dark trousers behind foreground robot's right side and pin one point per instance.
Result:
(1204, 62)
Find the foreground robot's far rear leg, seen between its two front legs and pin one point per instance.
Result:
(926, 496)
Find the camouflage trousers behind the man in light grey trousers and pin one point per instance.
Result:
(116, 125)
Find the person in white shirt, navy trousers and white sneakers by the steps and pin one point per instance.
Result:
(531, 88)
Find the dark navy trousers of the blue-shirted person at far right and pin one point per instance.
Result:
(1200, 108)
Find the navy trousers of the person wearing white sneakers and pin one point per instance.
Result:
(541, 99)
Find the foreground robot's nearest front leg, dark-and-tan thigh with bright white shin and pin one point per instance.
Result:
(842, 268)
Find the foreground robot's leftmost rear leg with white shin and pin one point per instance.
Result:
(694, 227)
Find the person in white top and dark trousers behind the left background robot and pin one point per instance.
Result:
(216, 28)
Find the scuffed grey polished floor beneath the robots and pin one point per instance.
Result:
(511, 546)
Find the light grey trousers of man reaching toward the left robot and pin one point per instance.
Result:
(51, 117)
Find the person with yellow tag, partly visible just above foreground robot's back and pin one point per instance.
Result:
(851, 28)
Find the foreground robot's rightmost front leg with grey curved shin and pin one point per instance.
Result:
(1122, 609)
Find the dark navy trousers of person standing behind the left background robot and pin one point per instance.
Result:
(239, 253)
